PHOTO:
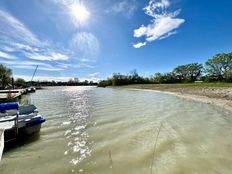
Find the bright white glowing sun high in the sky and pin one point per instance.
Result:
(79, 12)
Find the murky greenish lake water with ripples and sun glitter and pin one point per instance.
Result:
(94, 130)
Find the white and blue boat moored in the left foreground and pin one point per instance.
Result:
(19, 121)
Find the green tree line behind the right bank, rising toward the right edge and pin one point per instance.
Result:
(216, 69)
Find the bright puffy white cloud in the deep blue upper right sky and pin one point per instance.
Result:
(163, 24)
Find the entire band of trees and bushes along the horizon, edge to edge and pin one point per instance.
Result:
(216, 71)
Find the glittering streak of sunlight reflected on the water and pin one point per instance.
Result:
(78, 144)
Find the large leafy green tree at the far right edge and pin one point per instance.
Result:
(219, 67)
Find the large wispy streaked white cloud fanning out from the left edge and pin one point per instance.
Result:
(16, 37)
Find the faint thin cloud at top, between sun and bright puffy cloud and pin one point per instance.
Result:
(124, 7)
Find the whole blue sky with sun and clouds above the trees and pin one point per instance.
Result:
(91, 39)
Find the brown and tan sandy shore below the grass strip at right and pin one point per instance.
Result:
(219, 96)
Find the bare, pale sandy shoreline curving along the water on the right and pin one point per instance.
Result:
(202, 96)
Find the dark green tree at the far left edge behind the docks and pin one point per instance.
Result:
(5, 76)
